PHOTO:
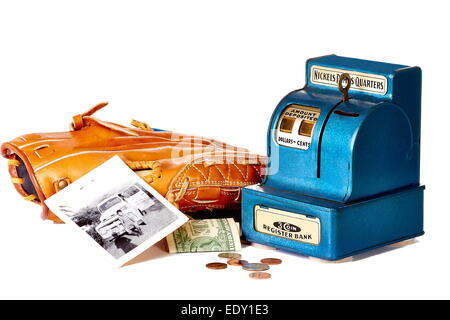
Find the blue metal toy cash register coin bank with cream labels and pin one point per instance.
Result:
(344, 162)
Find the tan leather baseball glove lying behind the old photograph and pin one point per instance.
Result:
(193, 173)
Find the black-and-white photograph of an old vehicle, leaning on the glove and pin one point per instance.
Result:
(121, 216)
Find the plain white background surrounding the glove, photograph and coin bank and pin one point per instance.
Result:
(216, 69)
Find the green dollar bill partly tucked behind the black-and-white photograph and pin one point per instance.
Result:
(213, 235)
